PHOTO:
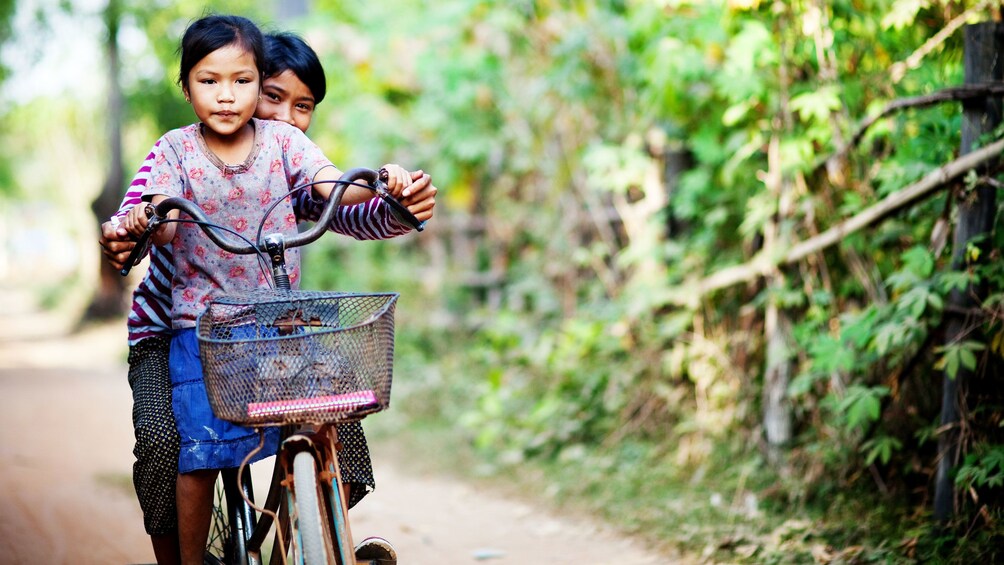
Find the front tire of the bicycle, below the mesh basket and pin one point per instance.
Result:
(312, 517)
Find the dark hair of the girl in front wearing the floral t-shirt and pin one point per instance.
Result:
(213, 33)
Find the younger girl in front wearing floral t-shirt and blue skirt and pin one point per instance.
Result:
(230, 164)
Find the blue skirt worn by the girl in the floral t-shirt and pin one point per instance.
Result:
(206, 441)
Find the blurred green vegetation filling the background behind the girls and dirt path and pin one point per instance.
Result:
(609, 300)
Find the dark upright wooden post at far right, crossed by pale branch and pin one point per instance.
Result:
(984, 44)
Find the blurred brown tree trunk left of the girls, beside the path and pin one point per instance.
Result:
(108, 302)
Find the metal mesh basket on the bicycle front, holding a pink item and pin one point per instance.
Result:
(277, 358)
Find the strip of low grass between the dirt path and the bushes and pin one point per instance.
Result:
(732, 509)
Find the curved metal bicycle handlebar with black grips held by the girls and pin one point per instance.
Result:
(376, 181)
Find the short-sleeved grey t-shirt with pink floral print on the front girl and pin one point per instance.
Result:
(235, 197)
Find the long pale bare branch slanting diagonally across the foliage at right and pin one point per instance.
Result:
(763, 264)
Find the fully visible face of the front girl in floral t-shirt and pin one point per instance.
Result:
(224, 90)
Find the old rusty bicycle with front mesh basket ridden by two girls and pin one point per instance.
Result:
(304, 361)
